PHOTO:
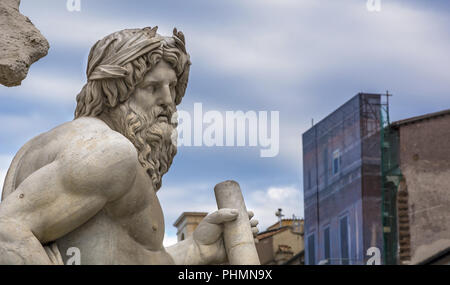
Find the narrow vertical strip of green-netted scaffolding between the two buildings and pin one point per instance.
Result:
(391, 177)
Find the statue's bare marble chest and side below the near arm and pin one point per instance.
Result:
(127, 231)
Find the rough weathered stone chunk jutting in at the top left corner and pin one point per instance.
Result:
(21, 44)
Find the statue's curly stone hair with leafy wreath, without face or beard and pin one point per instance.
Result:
(119, 62)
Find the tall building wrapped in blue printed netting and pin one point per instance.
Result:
(342, 183)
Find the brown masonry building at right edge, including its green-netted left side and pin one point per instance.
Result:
(416, 189)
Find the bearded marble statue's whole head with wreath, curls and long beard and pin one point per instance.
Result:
(136, 78)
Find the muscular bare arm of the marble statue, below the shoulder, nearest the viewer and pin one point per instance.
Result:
(60, 197)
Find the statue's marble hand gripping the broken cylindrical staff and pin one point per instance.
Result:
(209, 234)
